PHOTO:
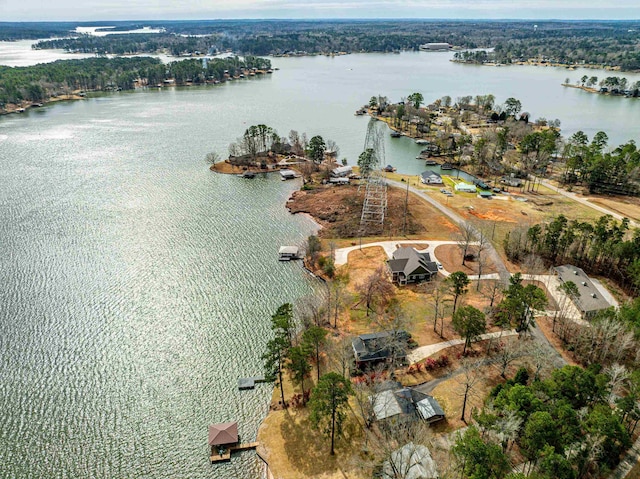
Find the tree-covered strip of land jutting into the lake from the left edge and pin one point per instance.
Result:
(39, 82)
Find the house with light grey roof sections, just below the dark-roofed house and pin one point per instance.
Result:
(401, 404)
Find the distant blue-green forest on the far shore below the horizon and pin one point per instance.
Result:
(602, 43)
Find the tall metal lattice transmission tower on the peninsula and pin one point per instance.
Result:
(375, 198)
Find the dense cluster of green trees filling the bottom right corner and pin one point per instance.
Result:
(564, 426)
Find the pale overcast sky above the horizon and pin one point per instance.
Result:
(87, 10)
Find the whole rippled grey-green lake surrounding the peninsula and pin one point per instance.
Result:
(137, 286)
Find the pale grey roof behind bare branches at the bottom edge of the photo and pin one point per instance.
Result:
(411, 461)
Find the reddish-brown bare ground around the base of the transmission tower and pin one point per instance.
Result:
(338, 210)
